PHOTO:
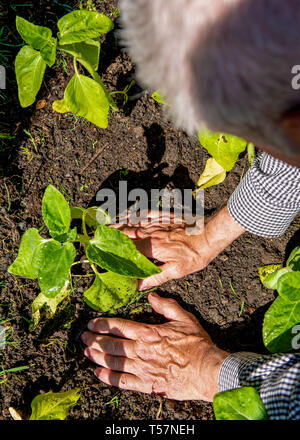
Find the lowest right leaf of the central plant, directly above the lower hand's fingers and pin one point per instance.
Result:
(110, 291)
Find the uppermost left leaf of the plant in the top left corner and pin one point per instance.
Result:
(35, 36)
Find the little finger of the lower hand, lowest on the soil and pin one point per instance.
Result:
(123, 380)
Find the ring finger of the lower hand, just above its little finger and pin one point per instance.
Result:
(116, 363)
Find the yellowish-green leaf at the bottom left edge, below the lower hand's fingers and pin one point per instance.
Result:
(53, 406)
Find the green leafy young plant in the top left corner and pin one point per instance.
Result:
(78, 36)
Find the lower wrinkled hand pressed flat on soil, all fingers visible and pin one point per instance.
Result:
(177, 359)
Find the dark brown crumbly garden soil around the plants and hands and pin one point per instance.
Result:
(149, 152)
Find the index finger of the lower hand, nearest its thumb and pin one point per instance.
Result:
(116, 326)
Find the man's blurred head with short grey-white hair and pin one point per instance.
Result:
(224, 65)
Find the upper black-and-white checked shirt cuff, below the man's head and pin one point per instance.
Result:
(268, 198)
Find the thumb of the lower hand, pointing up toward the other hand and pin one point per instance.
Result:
(170, 308)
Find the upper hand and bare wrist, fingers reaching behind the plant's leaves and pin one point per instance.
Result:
(180, 253)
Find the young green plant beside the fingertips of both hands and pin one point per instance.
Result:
(50, 260)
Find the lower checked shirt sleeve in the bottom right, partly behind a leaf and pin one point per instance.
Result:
(276, 378)
